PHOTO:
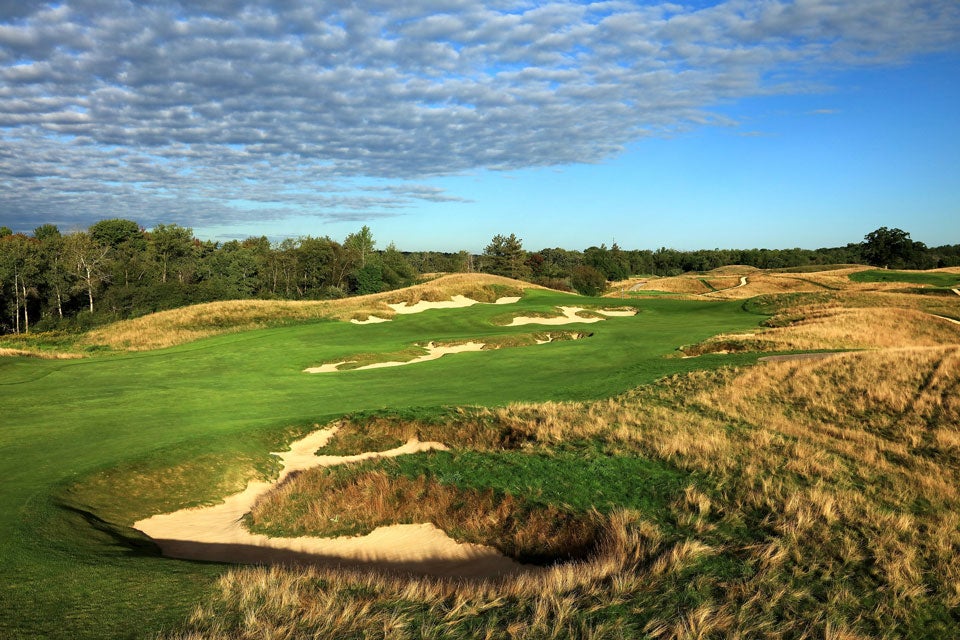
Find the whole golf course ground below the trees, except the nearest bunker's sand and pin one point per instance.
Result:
(642, 471)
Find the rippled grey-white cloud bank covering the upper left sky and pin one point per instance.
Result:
(224, 110)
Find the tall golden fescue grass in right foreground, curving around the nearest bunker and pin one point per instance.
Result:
(823, 503)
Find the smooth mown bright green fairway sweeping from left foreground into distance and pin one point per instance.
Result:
(228, 400)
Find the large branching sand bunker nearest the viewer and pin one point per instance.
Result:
(217, 533)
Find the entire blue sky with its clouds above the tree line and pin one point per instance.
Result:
(441, 123)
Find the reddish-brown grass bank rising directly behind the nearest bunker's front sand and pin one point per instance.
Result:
(332, 502)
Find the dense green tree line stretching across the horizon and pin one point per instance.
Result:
(116, 269)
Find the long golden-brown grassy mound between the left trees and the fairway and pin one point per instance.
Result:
(178, 326)
